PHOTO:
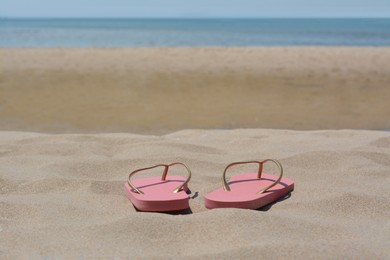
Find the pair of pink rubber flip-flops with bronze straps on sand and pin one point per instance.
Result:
(251, 190)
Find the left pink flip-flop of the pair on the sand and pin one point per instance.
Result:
(159, 194)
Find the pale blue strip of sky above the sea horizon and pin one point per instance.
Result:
(195, 8)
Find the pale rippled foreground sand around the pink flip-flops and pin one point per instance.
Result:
(61, 196)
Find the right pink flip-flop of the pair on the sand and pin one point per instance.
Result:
(250, 190)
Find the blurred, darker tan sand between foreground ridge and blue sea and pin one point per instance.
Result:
(160, 90)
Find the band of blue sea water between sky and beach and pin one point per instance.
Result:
(41, 33)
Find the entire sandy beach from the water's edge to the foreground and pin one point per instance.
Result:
(75, 122)
